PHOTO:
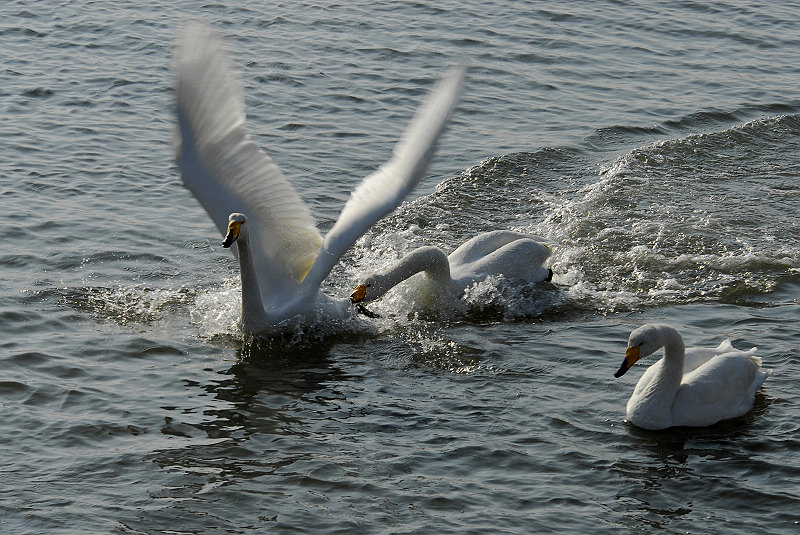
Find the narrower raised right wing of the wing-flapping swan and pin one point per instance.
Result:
(382, 191)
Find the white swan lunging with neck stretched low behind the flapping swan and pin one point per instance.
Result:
(509, 254)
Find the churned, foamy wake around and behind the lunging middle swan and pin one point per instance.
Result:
(701, 217)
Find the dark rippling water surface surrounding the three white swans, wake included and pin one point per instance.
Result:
(656, 147)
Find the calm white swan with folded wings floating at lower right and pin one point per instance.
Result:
(693, 387)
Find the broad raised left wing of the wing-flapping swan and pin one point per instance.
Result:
(228, 173)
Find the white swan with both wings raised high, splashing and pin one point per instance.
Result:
(282, 256)
